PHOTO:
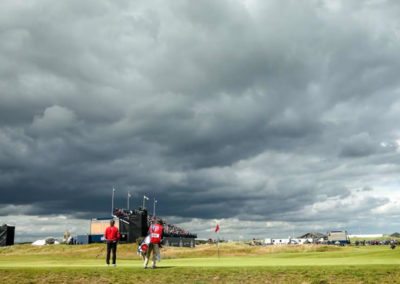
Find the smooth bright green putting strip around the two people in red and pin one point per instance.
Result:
(354, 256)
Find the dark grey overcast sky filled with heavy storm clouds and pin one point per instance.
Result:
(272, 118)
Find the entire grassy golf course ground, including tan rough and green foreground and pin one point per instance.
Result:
(237, 263)
